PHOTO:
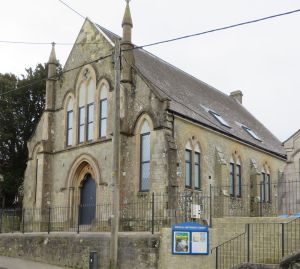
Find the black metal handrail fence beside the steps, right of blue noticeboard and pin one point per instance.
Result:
(264, 243)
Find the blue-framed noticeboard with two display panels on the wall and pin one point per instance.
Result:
(190, 238)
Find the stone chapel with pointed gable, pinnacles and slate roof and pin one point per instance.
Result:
(177, 132)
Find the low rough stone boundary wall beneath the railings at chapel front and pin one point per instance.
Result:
(136, 250)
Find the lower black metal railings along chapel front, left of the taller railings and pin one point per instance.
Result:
(146, 213)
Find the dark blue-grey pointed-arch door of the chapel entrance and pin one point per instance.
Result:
(87, 200)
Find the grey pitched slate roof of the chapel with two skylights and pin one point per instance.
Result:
(192, 98)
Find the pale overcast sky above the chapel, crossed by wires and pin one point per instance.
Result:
(262, 60)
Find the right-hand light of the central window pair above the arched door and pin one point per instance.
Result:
(90, 111)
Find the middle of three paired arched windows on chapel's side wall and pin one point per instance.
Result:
(235, 178)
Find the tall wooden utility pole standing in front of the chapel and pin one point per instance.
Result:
(116, 162)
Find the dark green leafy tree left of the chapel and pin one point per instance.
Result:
(20, 111)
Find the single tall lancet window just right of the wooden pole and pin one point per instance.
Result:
(145, 156)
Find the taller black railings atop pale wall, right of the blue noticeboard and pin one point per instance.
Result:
(257, 200)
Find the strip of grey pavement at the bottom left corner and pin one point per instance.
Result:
(13, 263)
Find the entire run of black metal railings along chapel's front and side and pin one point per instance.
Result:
(151, 212)
